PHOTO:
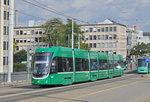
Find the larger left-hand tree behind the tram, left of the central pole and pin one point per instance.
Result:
(53, 29)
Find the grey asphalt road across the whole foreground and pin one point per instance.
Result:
(131, 87)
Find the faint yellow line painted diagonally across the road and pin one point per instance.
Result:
(105, 90)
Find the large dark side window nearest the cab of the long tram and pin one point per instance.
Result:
(64, 64)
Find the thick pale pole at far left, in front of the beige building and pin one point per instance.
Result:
(10, 39)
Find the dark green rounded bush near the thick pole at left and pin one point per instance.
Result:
(20, 56)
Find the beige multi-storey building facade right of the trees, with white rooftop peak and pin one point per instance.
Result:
(107, 36)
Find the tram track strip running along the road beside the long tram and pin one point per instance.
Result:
(36, 91)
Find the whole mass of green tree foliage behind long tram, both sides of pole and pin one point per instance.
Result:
(61, 34)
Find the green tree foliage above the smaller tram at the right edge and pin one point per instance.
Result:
(140, 49)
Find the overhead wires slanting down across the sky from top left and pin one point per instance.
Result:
(53, 11)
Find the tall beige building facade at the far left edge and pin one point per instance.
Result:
(4, 31)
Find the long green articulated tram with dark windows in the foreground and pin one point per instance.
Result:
(62, 66)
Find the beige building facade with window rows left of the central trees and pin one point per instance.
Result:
(28, 37)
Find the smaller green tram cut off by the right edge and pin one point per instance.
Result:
(142, 66)
